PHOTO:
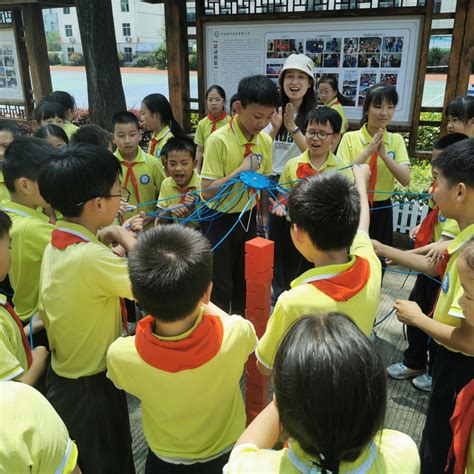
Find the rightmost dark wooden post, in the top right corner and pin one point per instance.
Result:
(454, 67)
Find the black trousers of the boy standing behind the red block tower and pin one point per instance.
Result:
(228, 290)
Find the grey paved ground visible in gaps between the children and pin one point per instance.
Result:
(406, 405)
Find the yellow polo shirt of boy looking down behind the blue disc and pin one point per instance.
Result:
(224, 153)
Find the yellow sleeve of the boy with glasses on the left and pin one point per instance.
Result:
(109, 273)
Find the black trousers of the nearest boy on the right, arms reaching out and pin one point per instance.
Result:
(451, 372)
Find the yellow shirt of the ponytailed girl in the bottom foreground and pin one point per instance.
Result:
(389, 452)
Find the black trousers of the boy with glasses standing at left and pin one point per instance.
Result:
(96, 416)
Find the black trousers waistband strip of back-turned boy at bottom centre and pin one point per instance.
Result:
(155, 465)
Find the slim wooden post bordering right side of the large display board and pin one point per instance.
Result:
(422, 63)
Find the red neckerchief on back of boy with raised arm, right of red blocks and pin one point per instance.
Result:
(347, 284)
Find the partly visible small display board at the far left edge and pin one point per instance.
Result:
(10, 81)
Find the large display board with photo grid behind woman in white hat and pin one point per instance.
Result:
(359, 53)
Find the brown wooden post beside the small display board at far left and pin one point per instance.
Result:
(37, 51)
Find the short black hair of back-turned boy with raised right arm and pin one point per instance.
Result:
(327, 208)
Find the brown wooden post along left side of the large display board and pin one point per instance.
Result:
(178, 61)
